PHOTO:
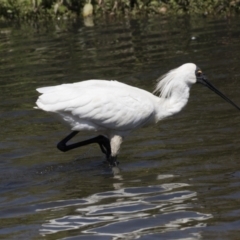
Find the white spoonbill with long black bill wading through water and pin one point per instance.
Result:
(113, 110)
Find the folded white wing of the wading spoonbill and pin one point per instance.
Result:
(106, 104)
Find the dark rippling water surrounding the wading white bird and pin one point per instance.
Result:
(179, 179)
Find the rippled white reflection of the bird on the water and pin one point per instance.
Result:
(131, 213)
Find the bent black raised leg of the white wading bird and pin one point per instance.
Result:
(103, 142)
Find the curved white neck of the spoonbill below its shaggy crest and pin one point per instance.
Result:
(174, 103)
